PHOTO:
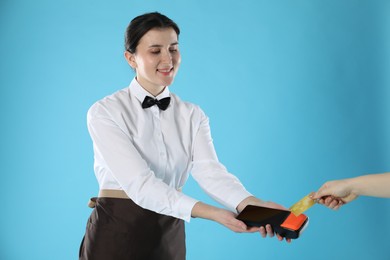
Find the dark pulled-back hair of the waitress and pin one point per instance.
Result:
(140, 25)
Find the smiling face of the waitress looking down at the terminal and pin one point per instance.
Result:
(156, 59)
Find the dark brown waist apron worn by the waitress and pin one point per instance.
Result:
(119, 229)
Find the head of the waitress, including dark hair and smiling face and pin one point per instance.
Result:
(152, 50)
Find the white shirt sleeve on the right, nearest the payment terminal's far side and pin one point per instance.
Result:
(210, 174)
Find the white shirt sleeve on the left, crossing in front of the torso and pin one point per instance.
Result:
(131, 171)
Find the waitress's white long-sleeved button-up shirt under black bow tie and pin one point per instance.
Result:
(149, 153)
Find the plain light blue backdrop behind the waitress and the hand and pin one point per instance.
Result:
(297, 93)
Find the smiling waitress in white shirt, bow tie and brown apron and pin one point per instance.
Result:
(146, 141)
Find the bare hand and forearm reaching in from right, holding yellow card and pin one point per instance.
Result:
(334, 194)
